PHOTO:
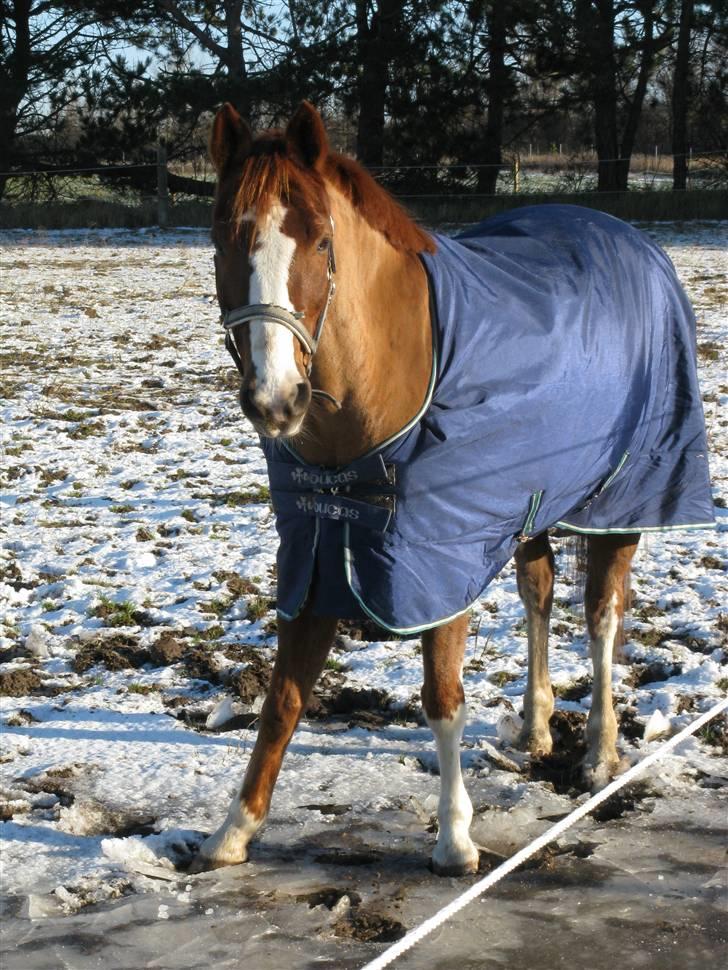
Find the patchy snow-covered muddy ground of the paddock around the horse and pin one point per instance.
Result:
(138, 626)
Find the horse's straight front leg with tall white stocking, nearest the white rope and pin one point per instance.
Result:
(444, 703)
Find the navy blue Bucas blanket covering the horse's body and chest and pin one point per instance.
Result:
(564, 393)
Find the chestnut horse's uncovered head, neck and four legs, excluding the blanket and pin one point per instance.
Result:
(283, 197)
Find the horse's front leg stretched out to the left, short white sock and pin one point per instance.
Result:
(303, 645)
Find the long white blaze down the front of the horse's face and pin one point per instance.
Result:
(271, 345)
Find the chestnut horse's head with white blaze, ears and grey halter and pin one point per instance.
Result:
(274, 262)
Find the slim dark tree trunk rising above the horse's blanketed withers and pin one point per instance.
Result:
(497, 89)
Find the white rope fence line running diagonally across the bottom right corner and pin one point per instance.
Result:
(478, 888)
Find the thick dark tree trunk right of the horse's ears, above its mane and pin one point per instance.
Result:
(375, 46)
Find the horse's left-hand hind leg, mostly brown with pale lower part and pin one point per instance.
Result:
(535, 575)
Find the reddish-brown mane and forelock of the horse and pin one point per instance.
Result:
(270, 174)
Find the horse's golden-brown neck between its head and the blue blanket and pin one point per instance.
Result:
(375, 355)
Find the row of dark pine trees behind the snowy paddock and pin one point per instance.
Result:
(436, 97)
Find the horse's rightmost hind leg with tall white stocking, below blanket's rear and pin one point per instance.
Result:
(609, 558)
